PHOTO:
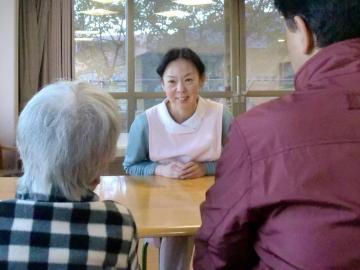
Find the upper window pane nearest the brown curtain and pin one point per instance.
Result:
(100, 43)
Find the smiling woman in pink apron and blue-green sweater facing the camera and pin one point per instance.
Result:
(179, 138)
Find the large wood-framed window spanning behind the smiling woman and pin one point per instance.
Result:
(119, 43)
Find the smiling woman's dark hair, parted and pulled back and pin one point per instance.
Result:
(183, 53)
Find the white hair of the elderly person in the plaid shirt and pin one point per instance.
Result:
(66, 135)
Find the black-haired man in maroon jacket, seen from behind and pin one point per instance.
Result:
(287, 189)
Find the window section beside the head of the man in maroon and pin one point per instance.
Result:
(268, 69)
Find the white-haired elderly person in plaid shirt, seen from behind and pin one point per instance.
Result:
(66, 135)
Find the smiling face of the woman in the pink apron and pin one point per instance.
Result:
(182, 83)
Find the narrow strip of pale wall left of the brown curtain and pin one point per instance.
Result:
(8, 70)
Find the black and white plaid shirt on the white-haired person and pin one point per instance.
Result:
(66, 235)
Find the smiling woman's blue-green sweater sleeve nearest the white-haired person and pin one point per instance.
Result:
(137, 161)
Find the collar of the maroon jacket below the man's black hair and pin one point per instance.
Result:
(331, 62)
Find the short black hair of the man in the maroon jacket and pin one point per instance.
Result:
(331, 21)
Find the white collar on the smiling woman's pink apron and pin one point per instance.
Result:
(188, 126)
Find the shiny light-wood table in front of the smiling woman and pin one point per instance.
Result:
(161, 206)
